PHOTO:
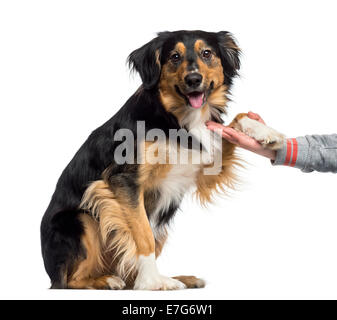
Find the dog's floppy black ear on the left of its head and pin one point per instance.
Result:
(146, 61)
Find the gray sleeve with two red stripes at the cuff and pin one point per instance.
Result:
(309, 153)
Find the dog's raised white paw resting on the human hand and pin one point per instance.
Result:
(268, 137)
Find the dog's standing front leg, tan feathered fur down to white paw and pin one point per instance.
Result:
(126, 232)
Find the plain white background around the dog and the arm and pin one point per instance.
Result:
(63, 73)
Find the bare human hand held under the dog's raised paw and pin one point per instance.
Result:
(241, 139)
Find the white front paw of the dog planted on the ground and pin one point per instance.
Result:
(159, 283)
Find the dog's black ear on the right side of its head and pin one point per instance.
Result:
(230, 55)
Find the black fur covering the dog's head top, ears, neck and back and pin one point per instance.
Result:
(60, 228)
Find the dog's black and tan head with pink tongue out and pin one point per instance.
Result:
(191, 69)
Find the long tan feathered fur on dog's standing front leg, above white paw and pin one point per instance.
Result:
(125, 231)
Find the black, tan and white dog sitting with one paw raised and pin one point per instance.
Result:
(107, 220)
